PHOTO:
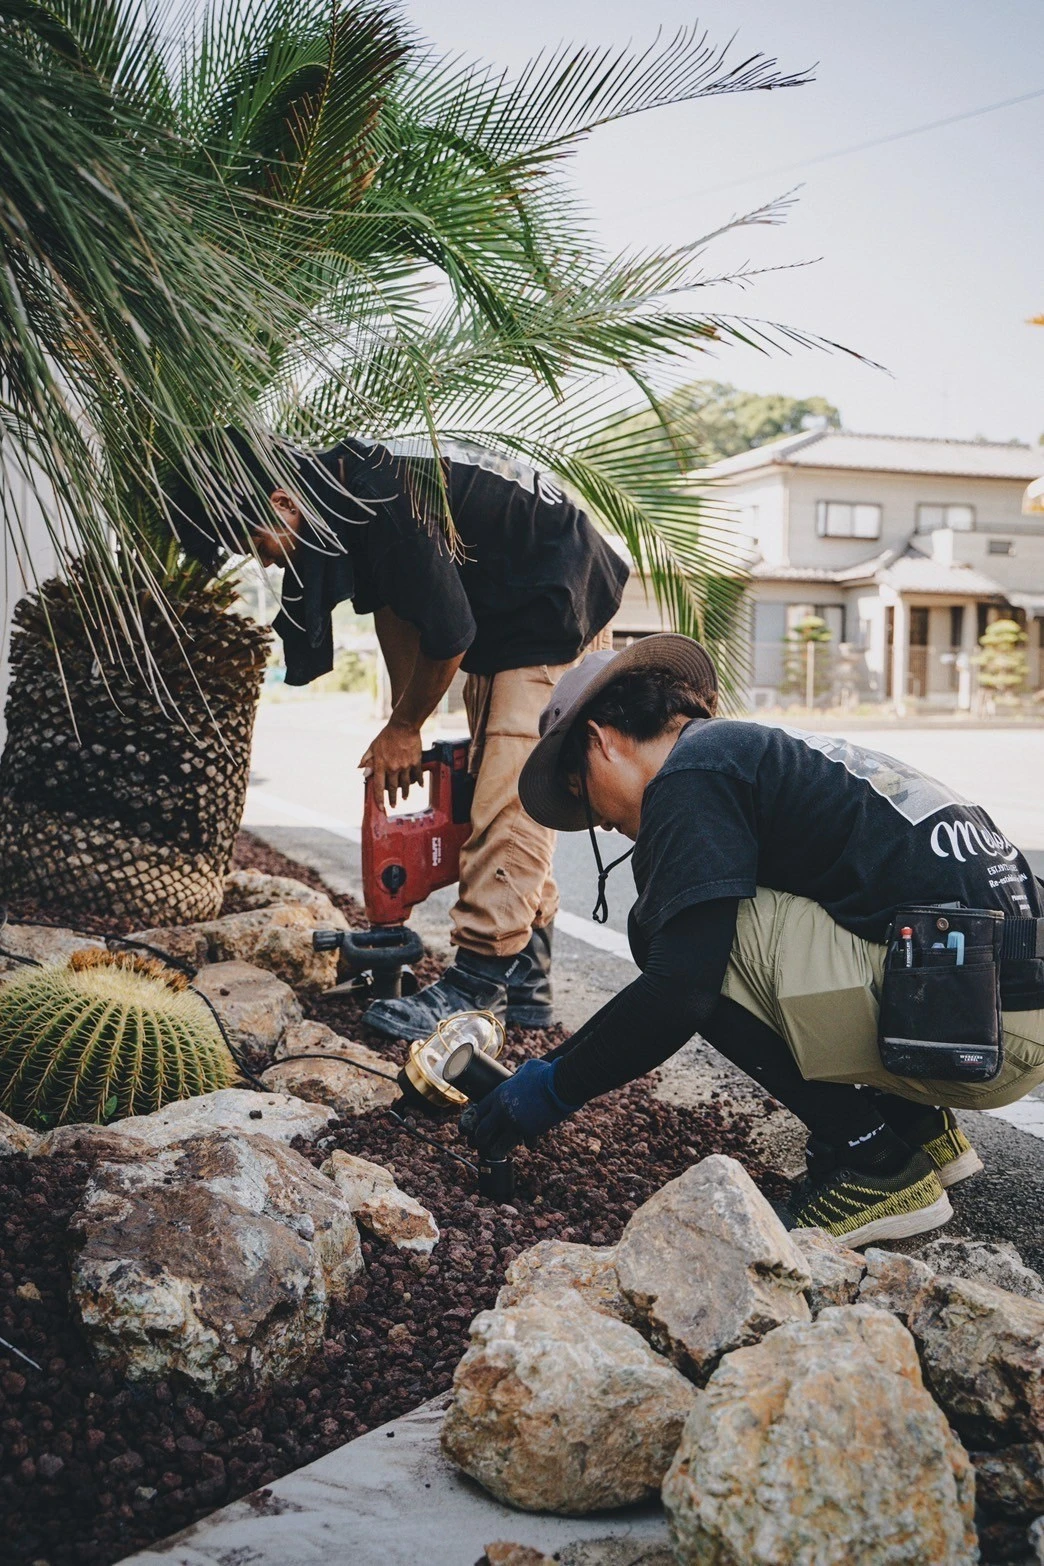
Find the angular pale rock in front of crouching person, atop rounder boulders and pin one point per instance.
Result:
(708, 1266)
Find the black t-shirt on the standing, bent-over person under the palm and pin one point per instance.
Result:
(535, 580)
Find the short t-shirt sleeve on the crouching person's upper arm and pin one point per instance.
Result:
(697, 843)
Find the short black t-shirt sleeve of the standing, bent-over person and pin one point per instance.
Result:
(412, 572)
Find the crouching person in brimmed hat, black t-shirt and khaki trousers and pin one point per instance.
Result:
(771, 870)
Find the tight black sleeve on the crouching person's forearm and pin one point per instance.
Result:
(660, 1012)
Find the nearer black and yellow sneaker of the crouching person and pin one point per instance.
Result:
(860, 1207)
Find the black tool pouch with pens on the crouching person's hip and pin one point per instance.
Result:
(941, 1016)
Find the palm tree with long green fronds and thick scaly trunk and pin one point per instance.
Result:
(298, 220)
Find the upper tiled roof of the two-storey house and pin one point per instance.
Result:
(844, 449)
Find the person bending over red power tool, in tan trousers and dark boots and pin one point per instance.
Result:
(528, 590)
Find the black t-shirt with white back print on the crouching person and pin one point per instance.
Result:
(743, 806)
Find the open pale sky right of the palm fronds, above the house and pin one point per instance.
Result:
(926, 256)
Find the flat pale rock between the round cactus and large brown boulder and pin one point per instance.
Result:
(276, 1116)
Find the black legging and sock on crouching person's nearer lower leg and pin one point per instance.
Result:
(844, 1117)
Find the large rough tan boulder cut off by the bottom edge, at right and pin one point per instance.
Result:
(821, 1446)
